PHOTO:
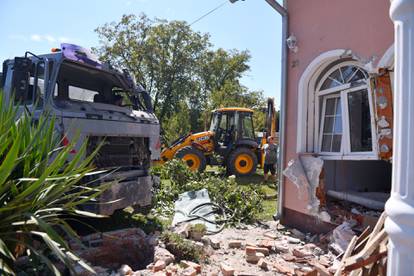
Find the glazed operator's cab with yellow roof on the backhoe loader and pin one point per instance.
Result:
(232, 127)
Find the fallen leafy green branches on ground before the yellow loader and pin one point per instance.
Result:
(242, 203)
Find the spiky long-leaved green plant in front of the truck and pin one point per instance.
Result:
(39, 188)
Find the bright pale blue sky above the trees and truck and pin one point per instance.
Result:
(252, 25)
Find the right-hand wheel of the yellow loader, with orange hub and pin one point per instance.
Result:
(242, 162)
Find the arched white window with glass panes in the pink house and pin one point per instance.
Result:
(344, 106)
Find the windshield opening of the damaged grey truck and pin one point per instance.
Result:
(80, 83)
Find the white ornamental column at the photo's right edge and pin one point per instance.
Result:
(400, 207)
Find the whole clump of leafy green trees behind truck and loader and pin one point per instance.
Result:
(184, 75)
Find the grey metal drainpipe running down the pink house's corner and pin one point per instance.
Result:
(283, 12)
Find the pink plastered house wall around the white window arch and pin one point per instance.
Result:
(362, 26)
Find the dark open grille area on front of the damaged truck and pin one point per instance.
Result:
(120, 151)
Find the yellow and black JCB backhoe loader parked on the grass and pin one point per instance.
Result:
(230, 142)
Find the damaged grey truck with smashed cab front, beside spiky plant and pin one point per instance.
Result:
(93, 103)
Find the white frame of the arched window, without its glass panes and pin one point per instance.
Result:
(342, 91)
